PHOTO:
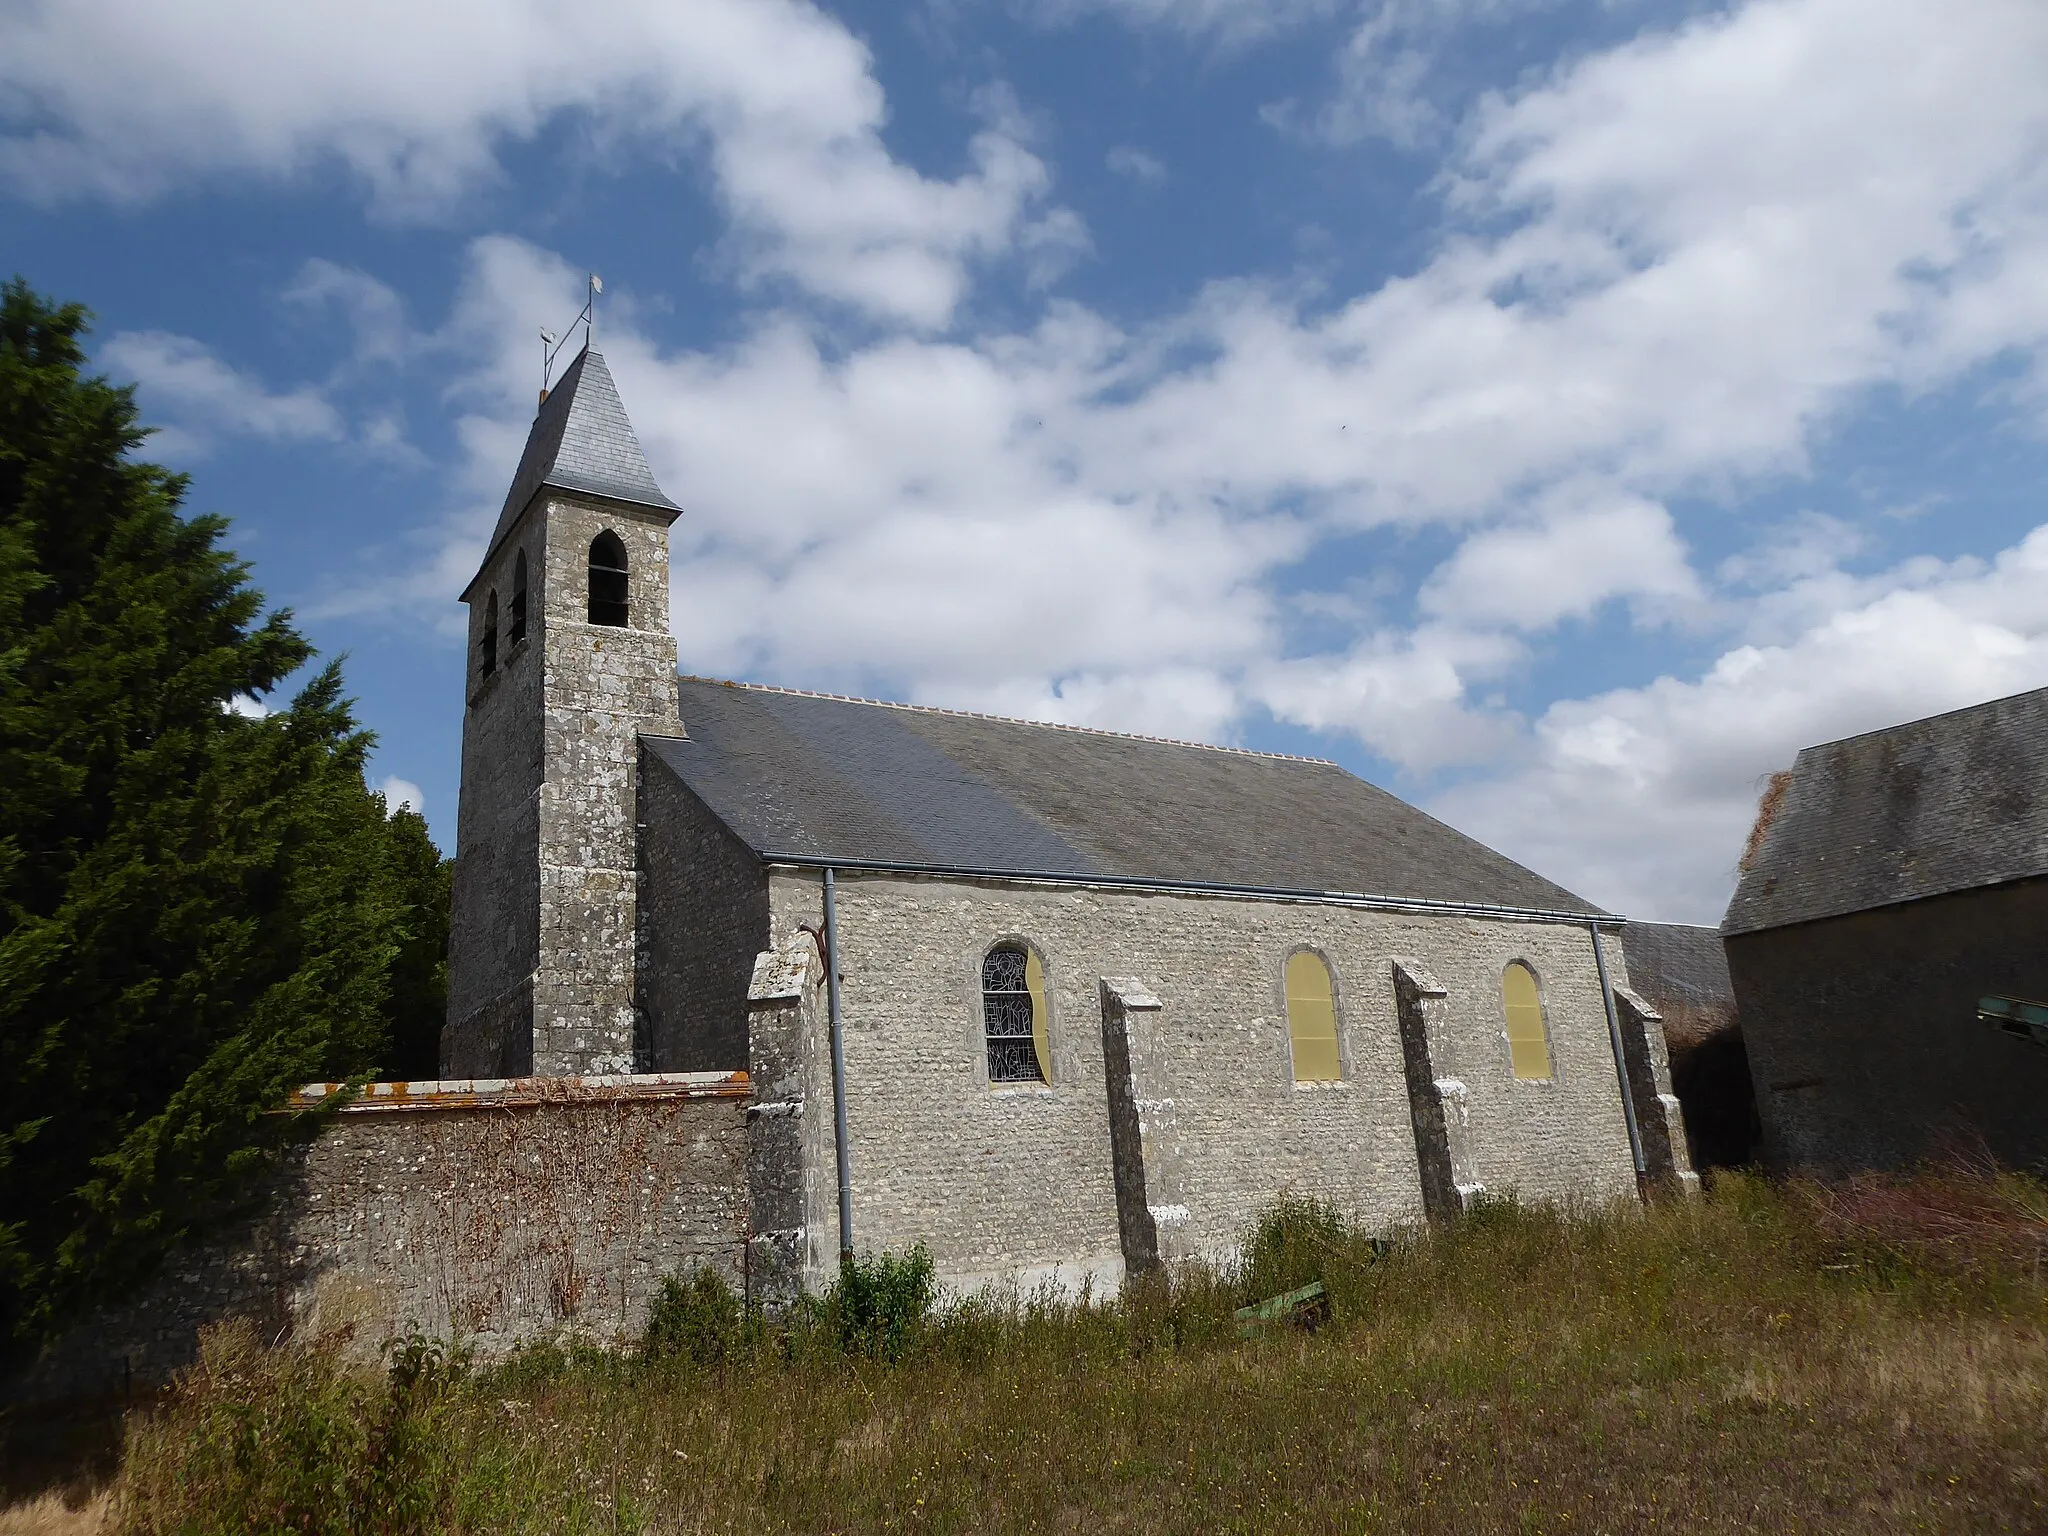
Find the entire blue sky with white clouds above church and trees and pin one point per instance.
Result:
(1555, 413)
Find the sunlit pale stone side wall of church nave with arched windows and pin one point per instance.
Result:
(1019, 1183)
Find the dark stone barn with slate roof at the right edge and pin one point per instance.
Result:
(1887, 945)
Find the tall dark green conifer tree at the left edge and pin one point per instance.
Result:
(200, 908)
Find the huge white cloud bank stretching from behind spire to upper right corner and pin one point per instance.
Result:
(1666, 271)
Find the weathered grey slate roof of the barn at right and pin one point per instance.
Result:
(1949, 804)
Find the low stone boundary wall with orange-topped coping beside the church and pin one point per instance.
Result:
(490, 1211)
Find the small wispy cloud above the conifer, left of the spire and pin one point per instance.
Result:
(204, 396)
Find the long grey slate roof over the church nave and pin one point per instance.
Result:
(863, 783)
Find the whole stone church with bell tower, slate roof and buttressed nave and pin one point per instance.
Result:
(1056, 1002)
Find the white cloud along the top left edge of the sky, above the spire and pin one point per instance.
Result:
(128, 99)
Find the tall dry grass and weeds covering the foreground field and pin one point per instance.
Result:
(1773, 1359)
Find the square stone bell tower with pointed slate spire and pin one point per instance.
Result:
(570, 663)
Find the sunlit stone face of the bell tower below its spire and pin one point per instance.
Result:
(603, 687)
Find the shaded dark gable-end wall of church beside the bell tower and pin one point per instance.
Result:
(703, 916)
